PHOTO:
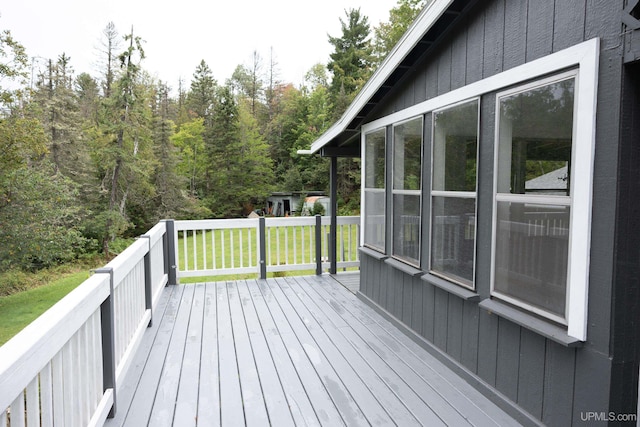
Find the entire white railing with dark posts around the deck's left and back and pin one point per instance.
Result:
(65, 367)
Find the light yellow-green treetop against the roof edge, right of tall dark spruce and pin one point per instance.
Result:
(387, 34)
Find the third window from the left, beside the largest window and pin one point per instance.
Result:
(453, 192)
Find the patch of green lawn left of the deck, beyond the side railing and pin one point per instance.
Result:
(20, 309)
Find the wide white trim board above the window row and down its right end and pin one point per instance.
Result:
(584, 56)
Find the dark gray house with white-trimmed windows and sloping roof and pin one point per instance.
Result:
(531, 294)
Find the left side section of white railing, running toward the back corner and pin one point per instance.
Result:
(64, 368)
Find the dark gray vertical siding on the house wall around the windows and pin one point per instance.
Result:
(552, 383)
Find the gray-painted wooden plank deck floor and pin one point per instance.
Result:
(288, 351)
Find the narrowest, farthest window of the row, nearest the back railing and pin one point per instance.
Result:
(374, 189)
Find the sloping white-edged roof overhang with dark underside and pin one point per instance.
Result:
(343, 138)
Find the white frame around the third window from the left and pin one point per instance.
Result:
(454, 194)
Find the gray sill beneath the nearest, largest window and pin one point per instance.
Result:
(530, 322)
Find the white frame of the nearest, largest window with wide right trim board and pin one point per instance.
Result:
(579, 199)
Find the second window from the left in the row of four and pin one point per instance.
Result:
(407, 183)
